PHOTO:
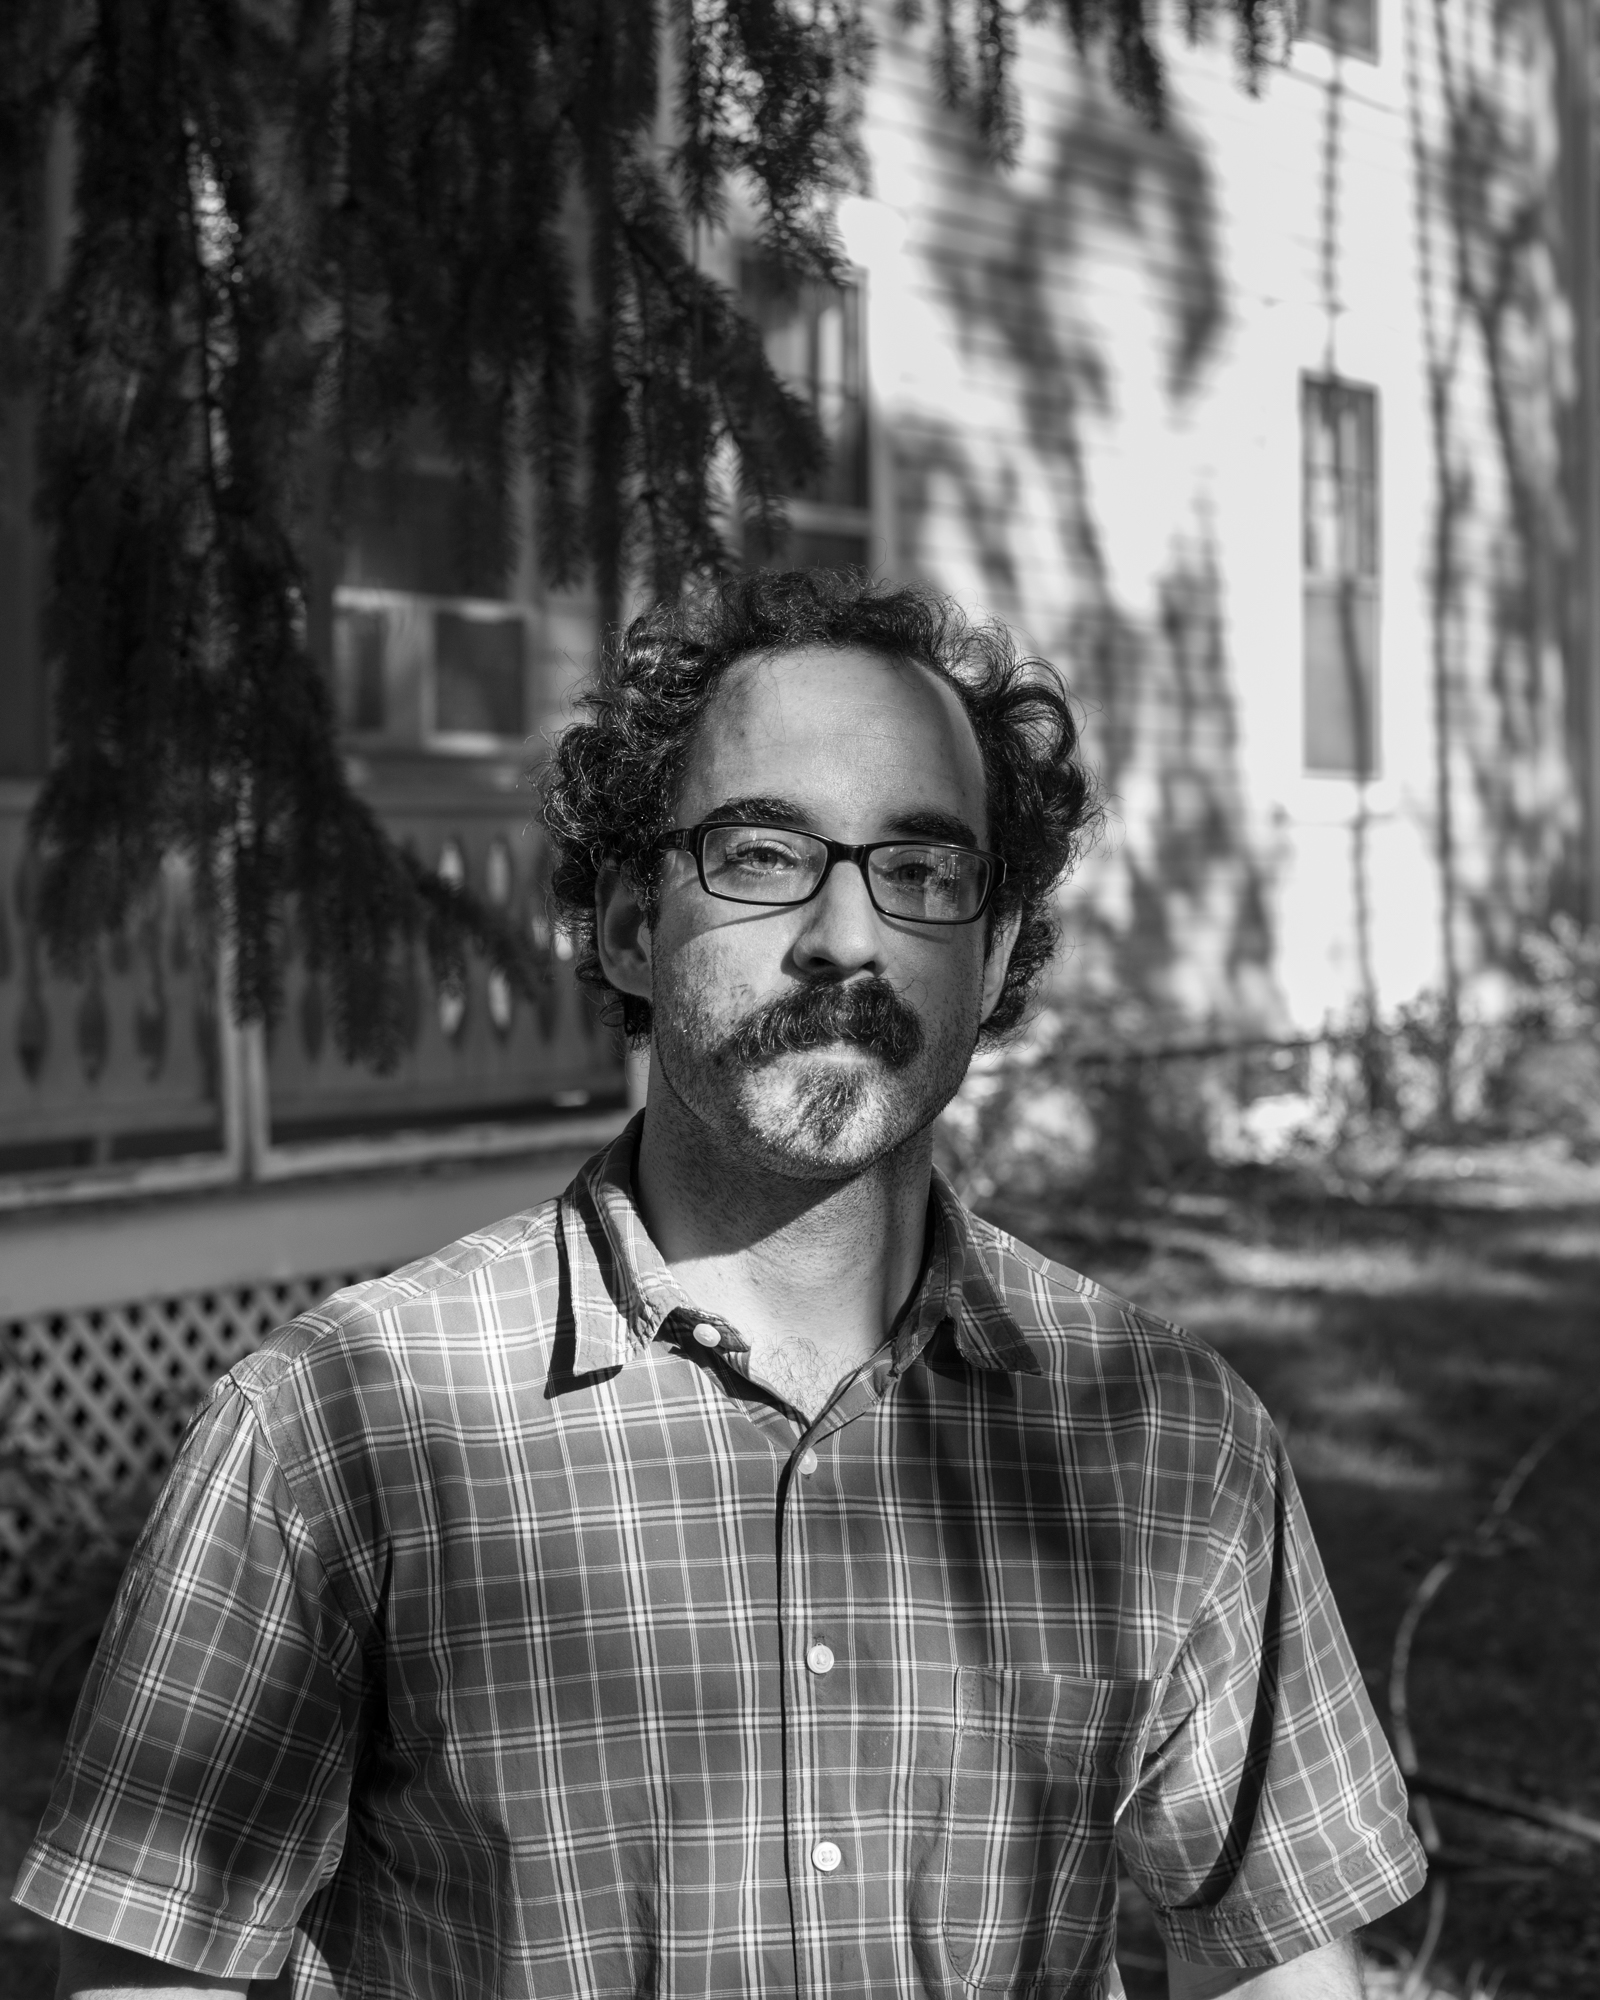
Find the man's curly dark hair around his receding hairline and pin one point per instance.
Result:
(609, 793)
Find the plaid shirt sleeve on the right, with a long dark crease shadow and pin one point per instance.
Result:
(1269, 1815)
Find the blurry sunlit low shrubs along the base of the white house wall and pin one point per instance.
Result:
(1101, 1103)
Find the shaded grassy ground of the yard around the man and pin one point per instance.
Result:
(1413, 1345)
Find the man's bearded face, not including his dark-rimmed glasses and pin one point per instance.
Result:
(815, 1039)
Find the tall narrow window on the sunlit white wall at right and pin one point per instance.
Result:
(1339, 449)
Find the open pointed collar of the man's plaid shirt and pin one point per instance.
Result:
(623, 1293)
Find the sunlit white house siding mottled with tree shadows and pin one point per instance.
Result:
(1089, 369)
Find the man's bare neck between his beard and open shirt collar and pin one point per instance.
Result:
(815, 1269)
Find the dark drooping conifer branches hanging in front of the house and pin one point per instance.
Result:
(307, 227)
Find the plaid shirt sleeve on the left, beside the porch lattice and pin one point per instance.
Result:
(203, 1795)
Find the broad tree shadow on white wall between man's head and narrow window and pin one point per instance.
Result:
(1097, 299)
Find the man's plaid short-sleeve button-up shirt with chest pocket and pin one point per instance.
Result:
(499, 1637)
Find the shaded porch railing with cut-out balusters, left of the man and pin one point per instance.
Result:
(133, 1077)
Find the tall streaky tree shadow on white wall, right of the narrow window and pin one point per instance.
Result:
(1497, 251)
